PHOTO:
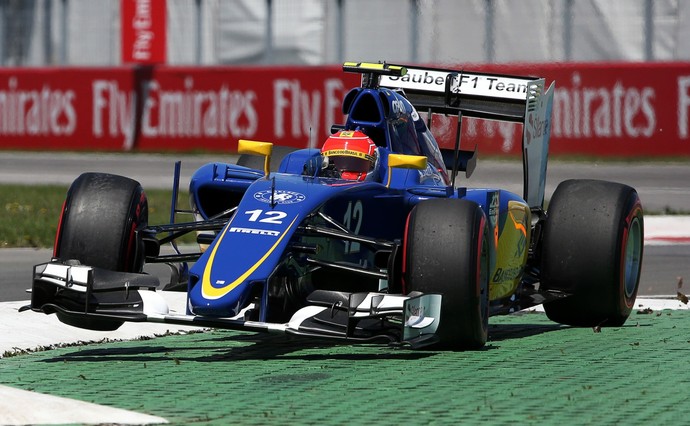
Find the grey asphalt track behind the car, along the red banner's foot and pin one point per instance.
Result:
(662, 185)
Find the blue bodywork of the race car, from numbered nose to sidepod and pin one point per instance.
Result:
(266, 248)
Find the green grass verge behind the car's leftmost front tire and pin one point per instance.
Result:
(30, 214)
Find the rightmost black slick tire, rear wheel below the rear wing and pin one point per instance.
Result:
(592, 249)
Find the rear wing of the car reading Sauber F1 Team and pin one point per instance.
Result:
(479, 95)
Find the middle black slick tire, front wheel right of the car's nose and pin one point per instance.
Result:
(446, 251)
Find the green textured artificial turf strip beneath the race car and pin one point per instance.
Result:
(531, 371)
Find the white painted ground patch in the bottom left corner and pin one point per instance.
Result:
(19, 407)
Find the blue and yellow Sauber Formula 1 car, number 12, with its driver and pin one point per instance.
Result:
(365, 239)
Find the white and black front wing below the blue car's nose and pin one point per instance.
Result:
(89, 297)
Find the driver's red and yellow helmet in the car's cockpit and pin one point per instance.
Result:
(352, 154)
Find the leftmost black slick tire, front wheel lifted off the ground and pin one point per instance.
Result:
(98, 222)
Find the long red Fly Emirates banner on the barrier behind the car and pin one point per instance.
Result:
(599, 109)
